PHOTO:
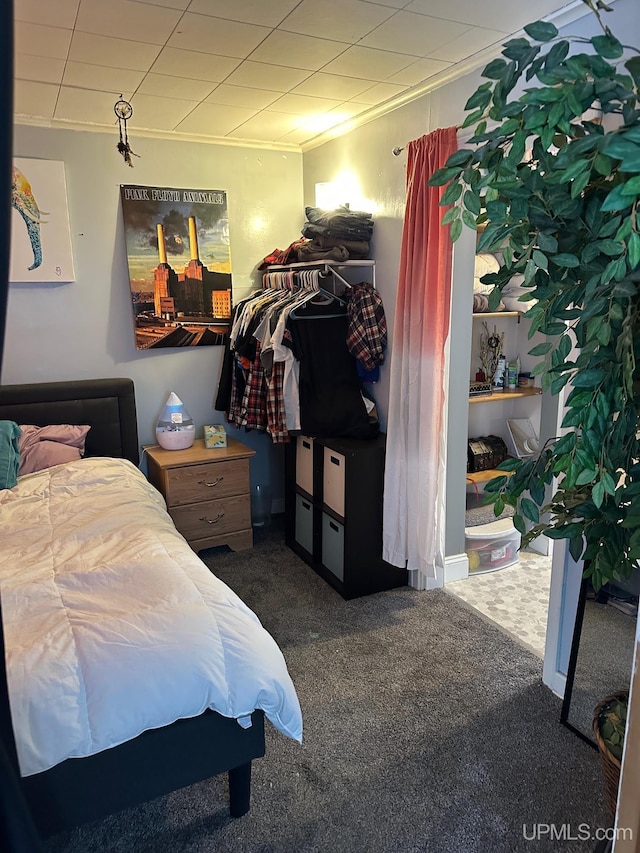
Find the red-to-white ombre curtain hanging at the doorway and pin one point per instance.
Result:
(413, 523)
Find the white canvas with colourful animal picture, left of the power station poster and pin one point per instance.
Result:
(40, 231)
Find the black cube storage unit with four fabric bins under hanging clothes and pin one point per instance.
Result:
(333, 512)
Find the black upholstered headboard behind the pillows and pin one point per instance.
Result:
(107, 405)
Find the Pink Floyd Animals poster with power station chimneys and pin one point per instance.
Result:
(179, 265)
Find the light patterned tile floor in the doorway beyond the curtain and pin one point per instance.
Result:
(516, 598)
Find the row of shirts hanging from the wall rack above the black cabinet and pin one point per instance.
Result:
(287, 365)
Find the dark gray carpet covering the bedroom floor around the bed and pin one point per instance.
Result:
(426, 729)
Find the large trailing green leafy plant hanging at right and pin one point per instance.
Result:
(554, 175)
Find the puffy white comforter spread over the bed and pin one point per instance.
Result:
(113, 625)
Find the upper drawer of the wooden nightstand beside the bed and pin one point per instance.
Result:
(206, 482)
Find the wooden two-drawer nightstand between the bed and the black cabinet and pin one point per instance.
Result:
(207, 492)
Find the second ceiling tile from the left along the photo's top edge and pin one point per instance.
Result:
(126, 19)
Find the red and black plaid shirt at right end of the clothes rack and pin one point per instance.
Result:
(367, 328)
